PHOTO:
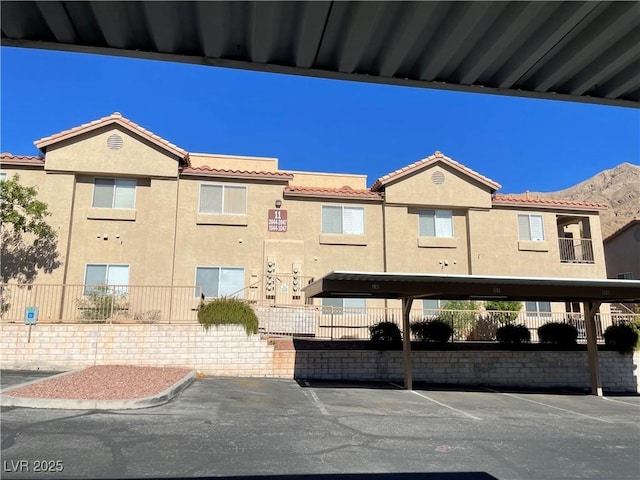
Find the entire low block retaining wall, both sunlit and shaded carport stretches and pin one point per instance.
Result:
(227, 350)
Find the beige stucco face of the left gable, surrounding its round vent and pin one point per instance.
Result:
(88, 153)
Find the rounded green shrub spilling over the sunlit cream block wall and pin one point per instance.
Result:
(228, 311)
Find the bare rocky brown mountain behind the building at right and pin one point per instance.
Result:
(618, 187)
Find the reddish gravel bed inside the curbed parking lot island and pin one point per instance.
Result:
(106, 382)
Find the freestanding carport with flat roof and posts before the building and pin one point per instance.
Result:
(410, 286)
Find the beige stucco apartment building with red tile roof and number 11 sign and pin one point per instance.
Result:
(131, 208)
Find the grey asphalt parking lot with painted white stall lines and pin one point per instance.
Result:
(238, 427)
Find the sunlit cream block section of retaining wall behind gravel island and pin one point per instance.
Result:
(224, 350)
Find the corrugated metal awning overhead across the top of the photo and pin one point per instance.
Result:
(579, 51)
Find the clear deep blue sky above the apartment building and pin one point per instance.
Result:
(315, 124)
